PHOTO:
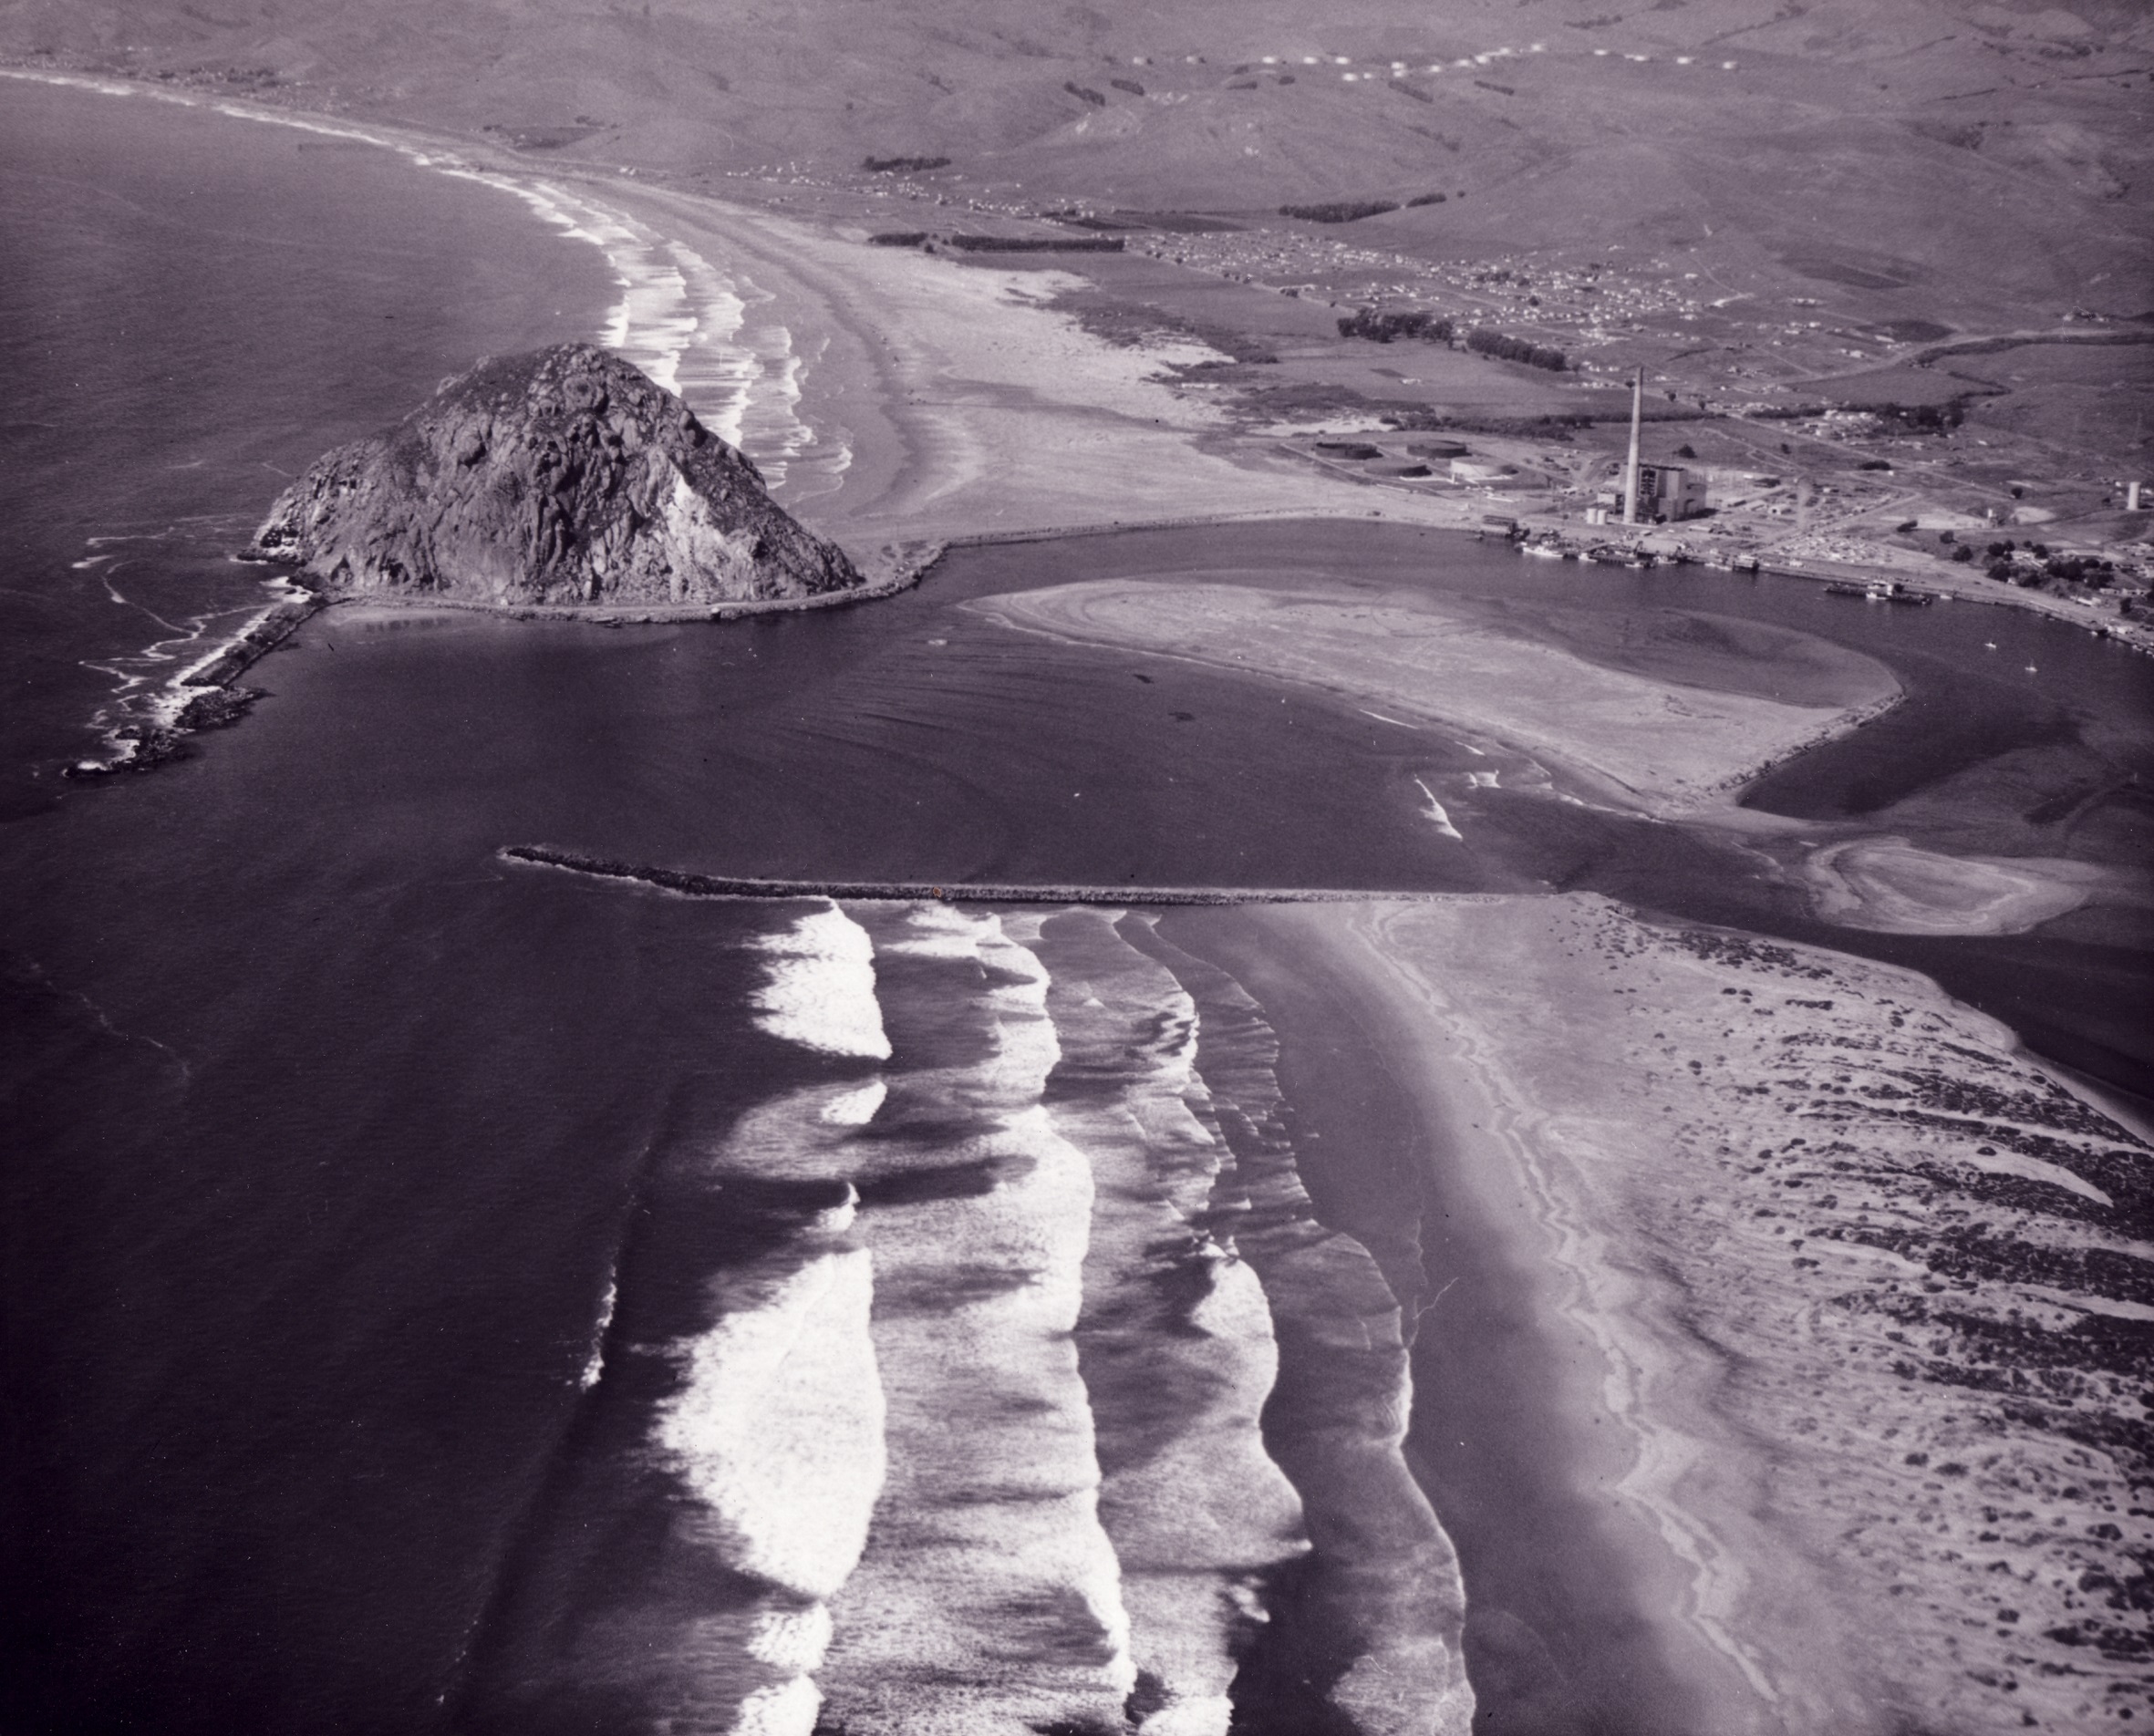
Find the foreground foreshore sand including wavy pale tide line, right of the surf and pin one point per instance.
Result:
(1582, 1578)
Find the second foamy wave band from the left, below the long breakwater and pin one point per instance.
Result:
(990, 1595)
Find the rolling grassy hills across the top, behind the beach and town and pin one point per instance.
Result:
(1744, 195)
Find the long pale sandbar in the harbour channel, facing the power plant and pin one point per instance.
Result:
(1645, 744)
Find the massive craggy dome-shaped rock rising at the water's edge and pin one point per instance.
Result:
(561, 477)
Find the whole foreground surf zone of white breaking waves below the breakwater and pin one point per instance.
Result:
(1031, 1395)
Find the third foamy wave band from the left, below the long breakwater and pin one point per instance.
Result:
(1175, 1339)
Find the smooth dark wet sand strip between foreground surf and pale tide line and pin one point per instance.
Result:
(1558, 1584)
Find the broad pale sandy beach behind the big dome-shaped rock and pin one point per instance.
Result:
(975, 408)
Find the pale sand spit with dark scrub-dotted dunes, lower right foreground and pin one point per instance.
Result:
(1871, 1291)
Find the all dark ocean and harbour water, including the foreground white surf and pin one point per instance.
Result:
(456, 1296)
